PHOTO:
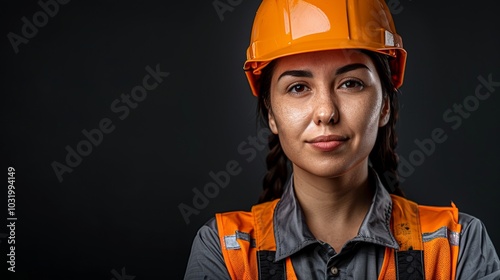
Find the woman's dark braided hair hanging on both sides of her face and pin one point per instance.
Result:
(383, 156)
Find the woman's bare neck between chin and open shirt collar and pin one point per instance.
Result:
(334, 208)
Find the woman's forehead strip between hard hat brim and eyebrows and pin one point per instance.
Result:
(329, 59)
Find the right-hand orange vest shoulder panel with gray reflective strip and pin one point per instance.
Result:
(428, 239)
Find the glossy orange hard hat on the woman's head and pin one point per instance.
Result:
(287, 27)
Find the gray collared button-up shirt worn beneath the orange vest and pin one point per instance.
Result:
(360, 258)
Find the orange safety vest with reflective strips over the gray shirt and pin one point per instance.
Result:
(248, 244)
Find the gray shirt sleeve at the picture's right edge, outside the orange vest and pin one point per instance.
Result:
(477, 258)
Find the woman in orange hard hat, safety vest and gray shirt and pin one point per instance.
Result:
(326, 74)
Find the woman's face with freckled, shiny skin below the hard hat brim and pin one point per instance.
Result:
(326, 108)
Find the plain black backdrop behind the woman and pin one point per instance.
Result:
(76, 78)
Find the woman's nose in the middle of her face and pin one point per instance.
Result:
(325, 108)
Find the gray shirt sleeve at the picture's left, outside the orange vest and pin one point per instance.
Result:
(206, 260)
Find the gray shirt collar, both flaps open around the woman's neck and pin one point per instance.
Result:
(292, 234)
